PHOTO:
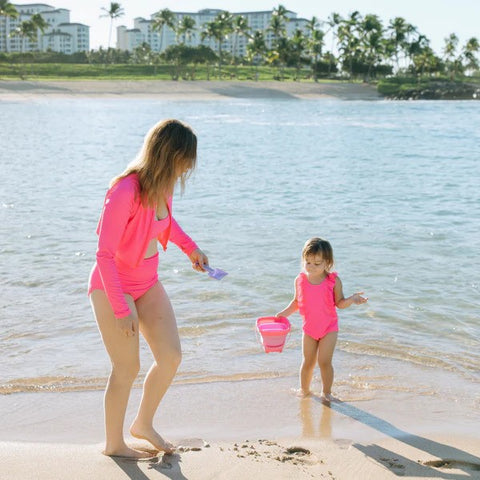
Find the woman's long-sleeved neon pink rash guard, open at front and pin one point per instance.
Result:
(125, 230)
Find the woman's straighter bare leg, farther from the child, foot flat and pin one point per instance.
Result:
(124, 356)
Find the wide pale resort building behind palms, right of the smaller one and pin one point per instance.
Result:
(142, 32)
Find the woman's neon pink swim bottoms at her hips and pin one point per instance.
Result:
(134, 281)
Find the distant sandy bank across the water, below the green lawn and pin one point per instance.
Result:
(197, 90)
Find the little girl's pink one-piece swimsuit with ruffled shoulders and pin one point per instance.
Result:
(316, 304)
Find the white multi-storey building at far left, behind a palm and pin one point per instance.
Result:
(59, 36)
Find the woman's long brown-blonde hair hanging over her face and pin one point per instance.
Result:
(169, 153)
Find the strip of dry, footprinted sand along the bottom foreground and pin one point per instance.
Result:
(262, 459)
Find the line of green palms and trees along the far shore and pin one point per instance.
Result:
(361, 46)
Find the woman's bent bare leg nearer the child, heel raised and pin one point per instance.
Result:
(159, 327)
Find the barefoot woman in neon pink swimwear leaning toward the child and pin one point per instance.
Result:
(125, 293)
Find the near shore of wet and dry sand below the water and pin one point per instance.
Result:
(248, 429)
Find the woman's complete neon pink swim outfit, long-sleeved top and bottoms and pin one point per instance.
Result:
(124, 231)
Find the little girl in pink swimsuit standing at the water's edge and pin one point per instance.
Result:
(318, 292)
